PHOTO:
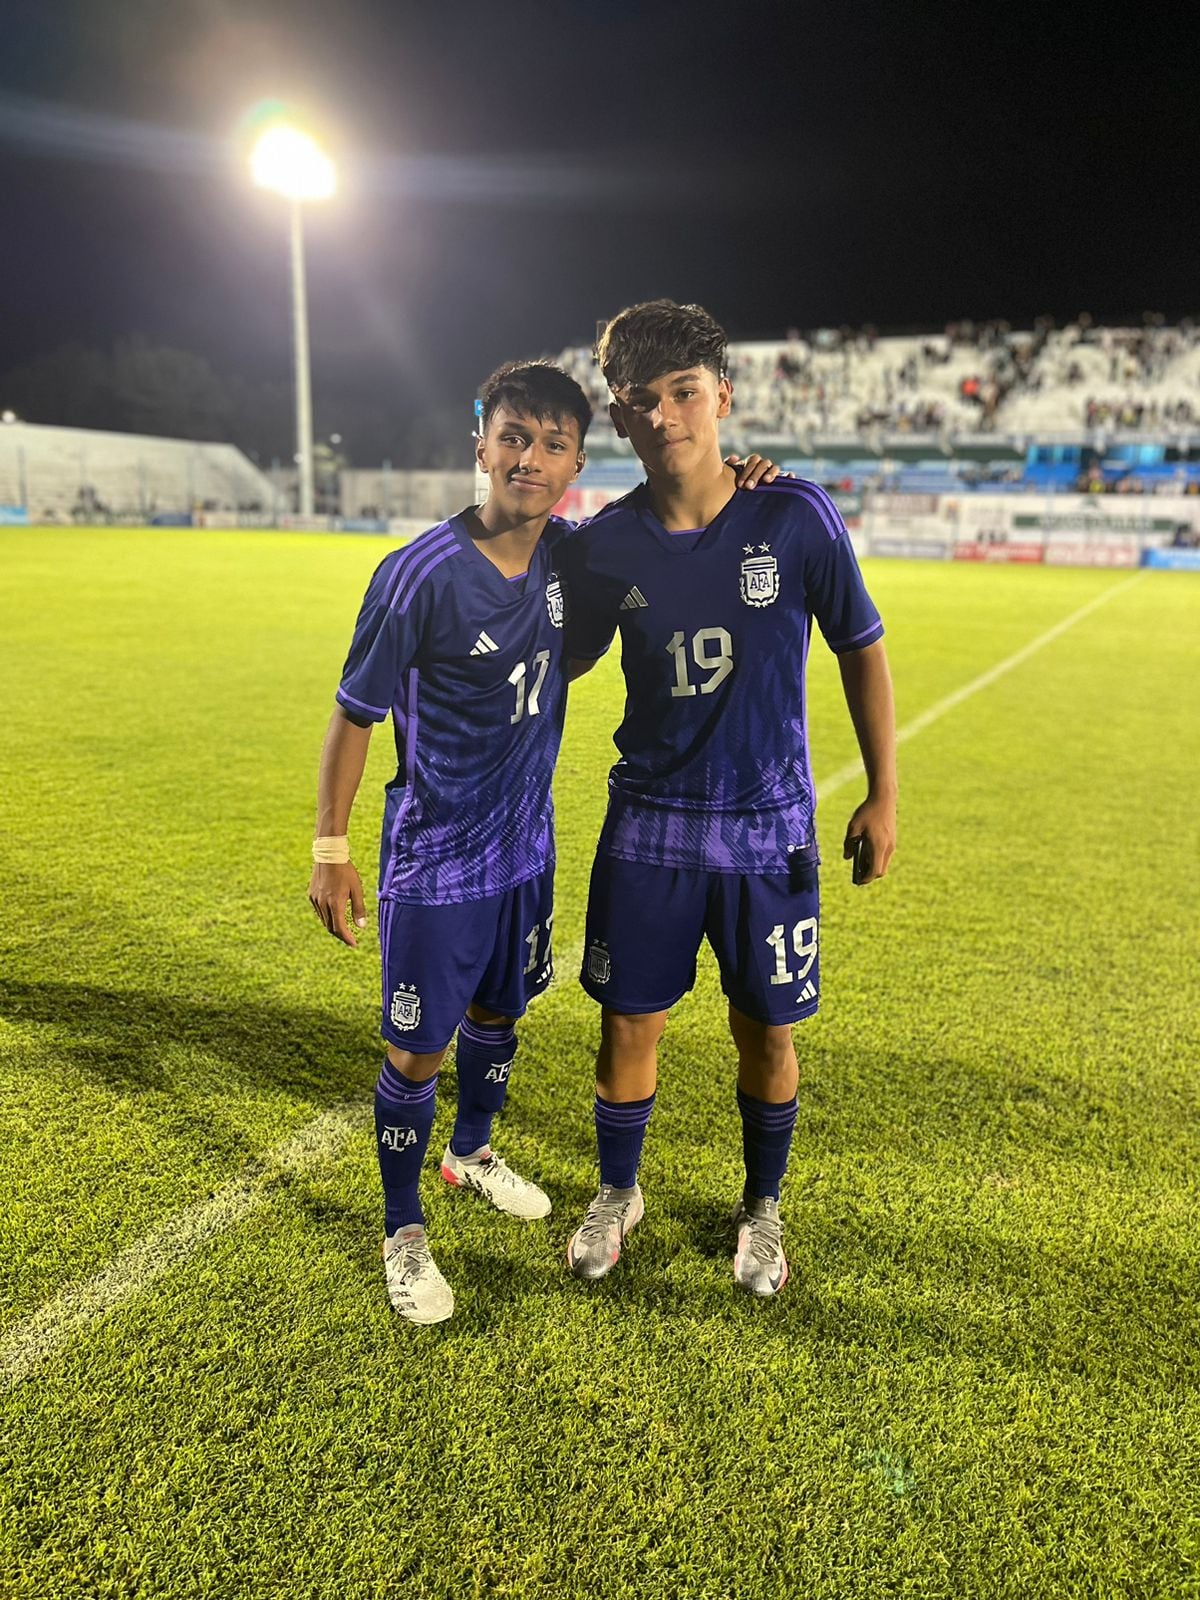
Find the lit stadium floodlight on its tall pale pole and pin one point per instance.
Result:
(290, 164)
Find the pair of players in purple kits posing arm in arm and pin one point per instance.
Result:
(711, 822)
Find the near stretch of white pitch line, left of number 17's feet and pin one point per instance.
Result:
(44, 1335)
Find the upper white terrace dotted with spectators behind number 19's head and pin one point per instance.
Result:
(974, 378)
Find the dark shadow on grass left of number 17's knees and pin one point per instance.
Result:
(124, 1036)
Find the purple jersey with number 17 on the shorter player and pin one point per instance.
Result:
(470, 666)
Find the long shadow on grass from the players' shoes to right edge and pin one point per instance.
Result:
(950, 1290)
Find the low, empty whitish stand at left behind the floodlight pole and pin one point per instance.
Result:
(66, 473)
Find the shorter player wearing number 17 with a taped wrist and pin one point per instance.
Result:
(460, 641)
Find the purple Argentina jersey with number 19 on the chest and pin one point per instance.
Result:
(714, 625)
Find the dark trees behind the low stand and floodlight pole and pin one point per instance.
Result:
(145, 388)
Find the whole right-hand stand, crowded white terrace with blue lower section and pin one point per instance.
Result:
(1074, 447)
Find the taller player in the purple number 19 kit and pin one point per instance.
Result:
(710, 830)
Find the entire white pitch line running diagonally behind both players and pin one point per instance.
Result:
(36, 1340)
